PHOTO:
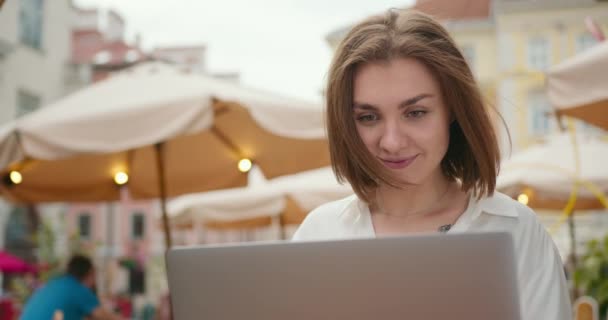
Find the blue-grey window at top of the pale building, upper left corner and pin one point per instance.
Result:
(30, 23)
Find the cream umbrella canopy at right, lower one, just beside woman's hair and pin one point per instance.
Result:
(548, 171)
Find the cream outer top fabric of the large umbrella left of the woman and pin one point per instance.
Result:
(150, 103)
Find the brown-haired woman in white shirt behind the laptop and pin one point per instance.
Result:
(409, 130)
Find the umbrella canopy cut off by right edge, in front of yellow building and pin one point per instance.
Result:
(577, 87)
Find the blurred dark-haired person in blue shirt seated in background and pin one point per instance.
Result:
(71, 296)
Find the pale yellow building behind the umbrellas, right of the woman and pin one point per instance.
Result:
(531, 37)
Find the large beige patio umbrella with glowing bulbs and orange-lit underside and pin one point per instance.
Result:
(171, 132)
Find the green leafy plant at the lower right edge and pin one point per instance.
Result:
(591, 275)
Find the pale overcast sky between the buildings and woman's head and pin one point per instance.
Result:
(275, 45)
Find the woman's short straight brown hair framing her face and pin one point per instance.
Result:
(473, 155)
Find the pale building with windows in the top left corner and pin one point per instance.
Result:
(34, 53)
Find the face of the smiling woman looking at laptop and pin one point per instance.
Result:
(401, 118)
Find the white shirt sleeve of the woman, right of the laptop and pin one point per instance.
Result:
(542, 281)
